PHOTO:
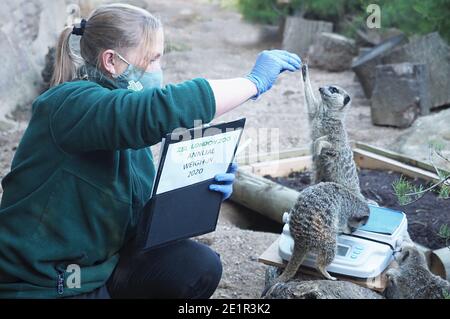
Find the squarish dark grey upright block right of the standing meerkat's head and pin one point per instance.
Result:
(400, 94)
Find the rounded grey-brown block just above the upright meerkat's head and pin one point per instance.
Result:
(332, 52)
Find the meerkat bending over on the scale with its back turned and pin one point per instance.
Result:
(321, 212)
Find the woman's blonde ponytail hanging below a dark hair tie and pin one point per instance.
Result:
(66, 61)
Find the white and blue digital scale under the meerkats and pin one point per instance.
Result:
(365, 253)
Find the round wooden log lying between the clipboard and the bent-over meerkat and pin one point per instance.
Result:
(262, 195)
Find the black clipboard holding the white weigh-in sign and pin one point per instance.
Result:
(187, 211)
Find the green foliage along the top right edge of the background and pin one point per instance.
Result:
(410, 16)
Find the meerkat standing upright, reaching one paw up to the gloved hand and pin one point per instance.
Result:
(331, 151)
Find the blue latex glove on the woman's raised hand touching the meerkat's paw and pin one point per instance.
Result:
(269, 65)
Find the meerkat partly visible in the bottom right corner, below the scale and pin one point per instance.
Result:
(412, 279)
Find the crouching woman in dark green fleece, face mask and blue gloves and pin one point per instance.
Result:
(83, 169)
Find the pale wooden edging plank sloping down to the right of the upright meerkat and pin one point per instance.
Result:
(366, 159)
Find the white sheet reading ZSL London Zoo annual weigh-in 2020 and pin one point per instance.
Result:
(196, 160)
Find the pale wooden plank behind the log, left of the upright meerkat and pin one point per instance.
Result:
(282, 167)
